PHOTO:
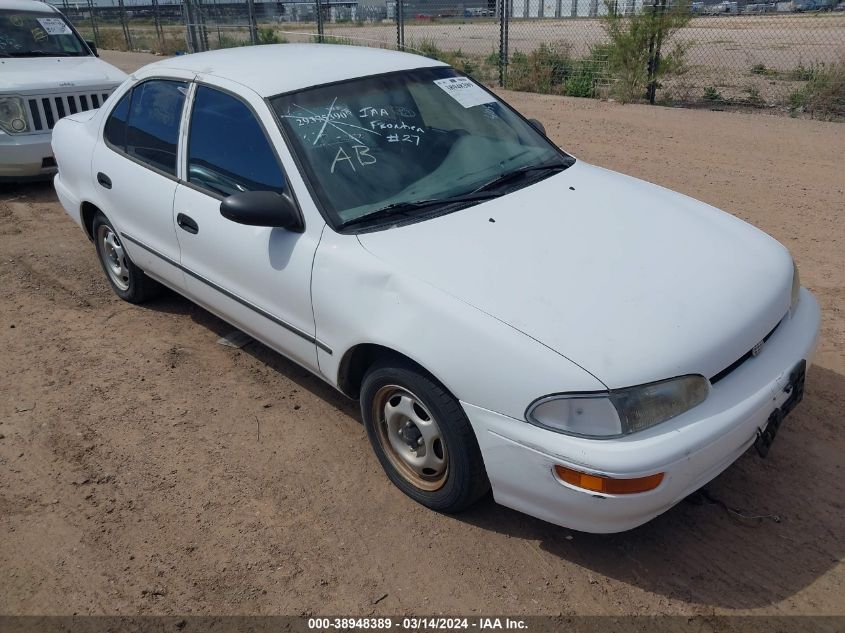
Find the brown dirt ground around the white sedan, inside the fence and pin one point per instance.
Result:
(145, 469)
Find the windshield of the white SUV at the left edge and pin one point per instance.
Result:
(38, 34)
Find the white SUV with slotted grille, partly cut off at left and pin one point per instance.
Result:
(47, 71)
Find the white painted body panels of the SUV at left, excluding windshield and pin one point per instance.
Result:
(27, 155)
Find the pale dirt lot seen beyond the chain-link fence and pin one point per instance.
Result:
(726, 44)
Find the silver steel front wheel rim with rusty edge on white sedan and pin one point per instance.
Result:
(410, 437)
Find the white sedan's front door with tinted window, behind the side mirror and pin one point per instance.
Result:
(257, 278)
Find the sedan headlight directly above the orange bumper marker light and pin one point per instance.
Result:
(619, 411)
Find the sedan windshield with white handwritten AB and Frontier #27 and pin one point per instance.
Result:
(403, 141)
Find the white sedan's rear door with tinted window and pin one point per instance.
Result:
(135, 166)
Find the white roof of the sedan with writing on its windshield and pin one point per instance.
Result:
(273, 69)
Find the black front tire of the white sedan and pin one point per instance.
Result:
(465, 480)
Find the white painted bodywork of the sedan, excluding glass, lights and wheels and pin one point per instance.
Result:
(585, 281)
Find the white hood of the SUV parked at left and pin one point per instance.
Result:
(56, 74)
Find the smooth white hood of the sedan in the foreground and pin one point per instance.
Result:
(629, 280)
